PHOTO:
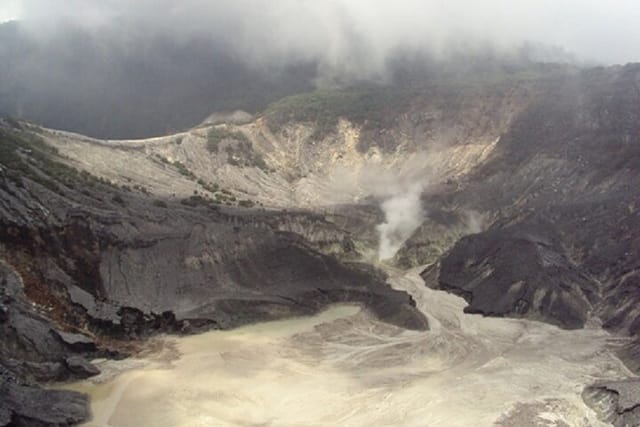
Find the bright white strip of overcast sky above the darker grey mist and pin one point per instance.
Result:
(606, 31)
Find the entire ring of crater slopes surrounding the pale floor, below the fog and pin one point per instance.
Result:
(529, 192)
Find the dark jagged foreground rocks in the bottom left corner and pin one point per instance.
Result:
(29, 352)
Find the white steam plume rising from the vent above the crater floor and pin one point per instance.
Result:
(403, 214)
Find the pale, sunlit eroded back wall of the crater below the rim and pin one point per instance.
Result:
(281, 160)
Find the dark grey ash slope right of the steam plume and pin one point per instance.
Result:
(561, 196)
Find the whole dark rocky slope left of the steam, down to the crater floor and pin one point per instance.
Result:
(88, 266)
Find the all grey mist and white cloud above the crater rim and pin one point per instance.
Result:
(121, 69)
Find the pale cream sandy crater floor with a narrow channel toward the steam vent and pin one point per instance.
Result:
(343, 368)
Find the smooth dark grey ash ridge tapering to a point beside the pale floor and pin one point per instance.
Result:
(277, 274)
